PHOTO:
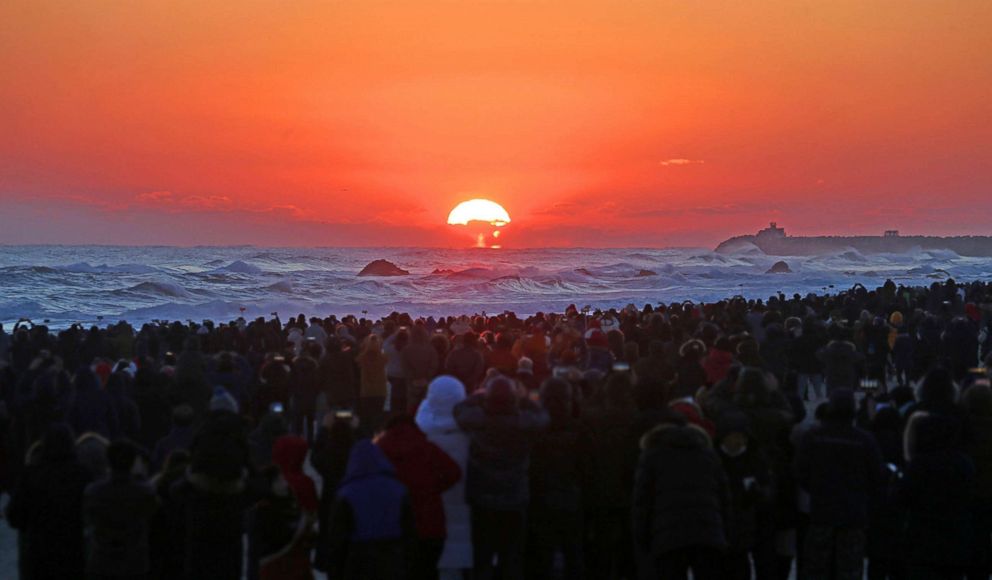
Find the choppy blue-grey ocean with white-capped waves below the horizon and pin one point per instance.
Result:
(102, 284)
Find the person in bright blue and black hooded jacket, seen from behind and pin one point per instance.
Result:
(372, 524)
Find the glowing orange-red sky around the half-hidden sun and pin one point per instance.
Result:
(360, 122)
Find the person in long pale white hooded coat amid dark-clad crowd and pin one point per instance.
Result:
(435, 417)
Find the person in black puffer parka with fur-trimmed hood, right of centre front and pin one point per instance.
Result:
(681, 501)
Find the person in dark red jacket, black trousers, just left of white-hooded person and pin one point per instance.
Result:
(427, 472)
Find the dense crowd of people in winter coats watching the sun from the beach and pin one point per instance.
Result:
(835, 436)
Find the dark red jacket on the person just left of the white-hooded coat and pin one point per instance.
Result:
(427, 472)
